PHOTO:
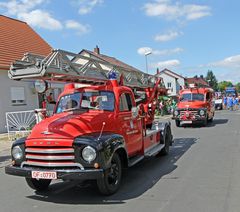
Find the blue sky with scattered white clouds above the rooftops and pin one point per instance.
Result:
(188, 37)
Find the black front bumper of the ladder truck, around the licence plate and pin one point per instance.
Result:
(61, 174)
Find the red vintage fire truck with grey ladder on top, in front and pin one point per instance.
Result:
(103, 122)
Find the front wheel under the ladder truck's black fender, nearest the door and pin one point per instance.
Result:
(111, 180)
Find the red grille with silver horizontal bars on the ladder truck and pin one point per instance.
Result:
(50, 157)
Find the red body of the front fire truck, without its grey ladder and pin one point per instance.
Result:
(95, 132)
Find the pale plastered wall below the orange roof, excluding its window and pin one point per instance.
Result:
(5, 98)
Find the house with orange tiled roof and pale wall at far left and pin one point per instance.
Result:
(17, 38)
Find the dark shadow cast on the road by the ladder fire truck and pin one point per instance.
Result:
(136, 180)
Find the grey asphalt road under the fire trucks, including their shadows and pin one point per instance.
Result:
(201, 174)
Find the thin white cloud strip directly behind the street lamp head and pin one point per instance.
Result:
(164, 52)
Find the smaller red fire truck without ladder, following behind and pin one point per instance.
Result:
(195, 105)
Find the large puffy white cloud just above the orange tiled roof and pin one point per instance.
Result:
(41, 19)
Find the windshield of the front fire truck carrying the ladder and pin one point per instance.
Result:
(93, 100)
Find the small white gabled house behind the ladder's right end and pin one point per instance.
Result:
(172, 81)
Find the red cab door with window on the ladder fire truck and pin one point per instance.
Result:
(130, 126)
